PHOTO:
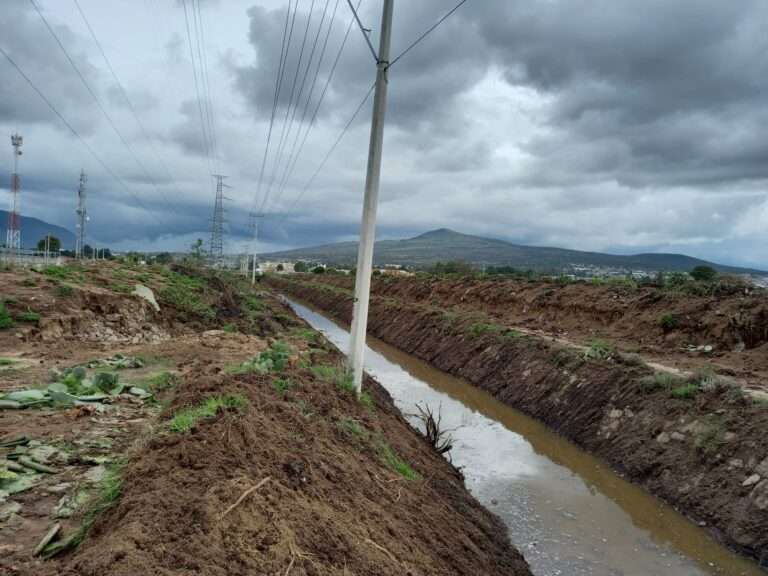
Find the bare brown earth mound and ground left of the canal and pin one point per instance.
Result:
(330, 503)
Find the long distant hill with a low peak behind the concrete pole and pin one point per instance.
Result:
(444, 245)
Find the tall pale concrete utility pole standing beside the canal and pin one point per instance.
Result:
(370, 204)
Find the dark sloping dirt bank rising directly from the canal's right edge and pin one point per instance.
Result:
(701, 446)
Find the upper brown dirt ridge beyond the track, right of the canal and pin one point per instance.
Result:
(664, 325)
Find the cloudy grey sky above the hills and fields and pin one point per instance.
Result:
(584, 124)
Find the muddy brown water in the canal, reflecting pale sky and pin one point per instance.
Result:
(566, 511)
